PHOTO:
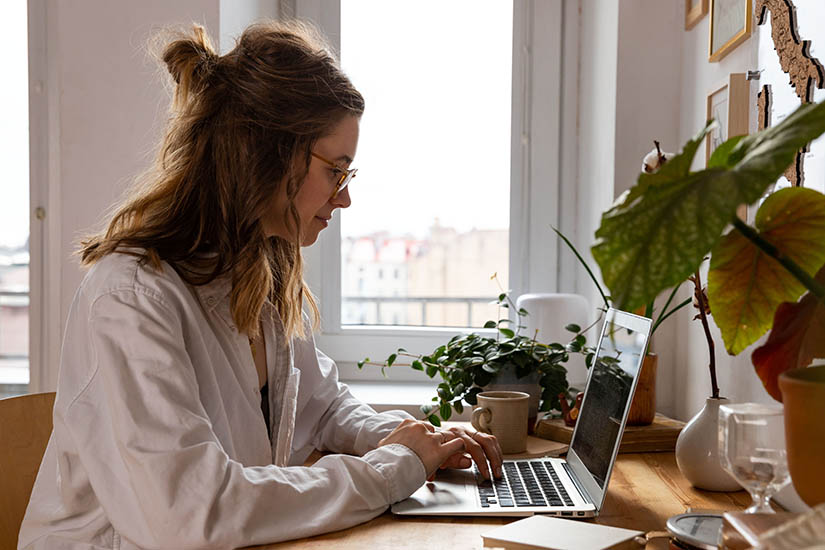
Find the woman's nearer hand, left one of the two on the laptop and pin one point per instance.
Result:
(433, 447)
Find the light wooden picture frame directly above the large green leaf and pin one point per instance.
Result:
(729, 104)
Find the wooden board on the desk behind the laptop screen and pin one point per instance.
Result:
(659, 436)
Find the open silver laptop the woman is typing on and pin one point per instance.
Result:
(573, 487)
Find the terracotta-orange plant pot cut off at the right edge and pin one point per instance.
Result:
(803, 394)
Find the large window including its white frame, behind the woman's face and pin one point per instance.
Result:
(480, 199)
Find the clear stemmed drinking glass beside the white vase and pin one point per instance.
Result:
(752, 450)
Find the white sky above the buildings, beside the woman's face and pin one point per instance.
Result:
(435, 137)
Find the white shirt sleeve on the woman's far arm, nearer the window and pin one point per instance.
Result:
(330, 417)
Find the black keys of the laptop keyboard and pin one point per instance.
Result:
(523, 484)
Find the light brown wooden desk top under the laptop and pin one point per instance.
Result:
(644, 491)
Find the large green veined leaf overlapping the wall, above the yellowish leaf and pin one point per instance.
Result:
(663, 228)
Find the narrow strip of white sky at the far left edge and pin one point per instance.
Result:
(14, 127)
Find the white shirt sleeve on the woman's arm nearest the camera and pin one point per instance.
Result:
(160, 472)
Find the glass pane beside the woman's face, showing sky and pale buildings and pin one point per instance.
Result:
(433, 200)
